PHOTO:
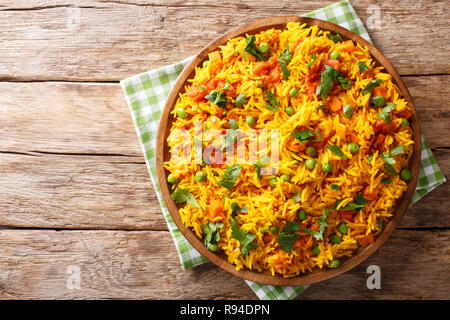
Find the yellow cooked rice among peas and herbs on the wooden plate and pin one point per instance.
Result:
(272, 206)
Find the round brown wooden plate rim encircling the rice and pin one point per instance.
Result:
(162, 154)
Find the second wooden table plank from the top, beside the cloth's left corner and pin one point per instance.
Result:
(80, 118)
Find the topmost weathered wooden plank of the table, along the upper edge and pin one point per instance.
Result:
(111, 40)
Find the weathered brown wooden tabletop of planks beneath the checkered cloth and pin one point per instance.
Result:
(74, 189)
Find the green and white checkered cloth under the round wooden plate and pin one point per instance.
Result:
(146, 94)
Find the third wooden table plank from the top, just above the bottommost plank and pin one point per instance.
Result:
(105, 192)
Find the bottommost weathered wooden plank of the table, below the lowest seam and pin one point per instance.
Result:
(35, 264)
